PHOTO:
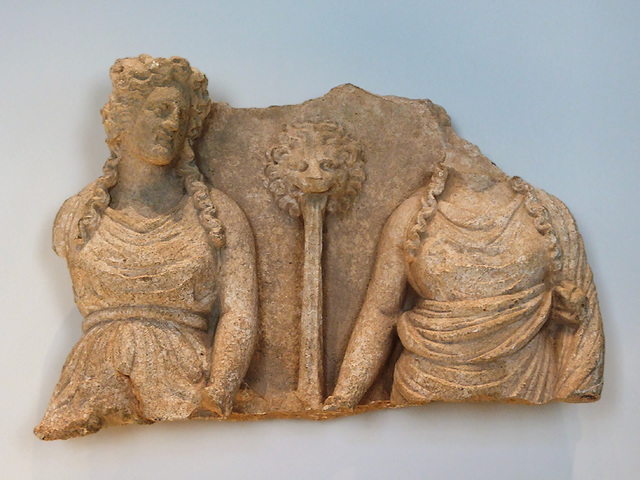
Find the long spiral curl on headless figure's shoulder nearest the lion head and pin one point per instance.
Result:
(429, 206)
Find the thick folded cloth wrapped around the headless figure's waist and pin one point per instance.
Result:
(458, 348)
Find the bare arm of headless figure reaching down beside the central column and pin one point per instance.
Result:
(374, 331)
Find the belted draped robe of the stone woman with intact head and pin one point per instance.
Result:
(147, 288)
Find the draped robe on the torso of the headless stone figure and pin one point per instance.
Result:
(493, 321)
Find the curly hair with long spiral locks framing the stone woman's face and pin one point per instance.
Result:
(133, 80)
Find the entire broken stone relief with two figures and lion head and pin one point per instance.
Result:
(361, 256)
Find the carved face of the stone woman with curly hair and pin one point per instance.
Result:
(159, 128)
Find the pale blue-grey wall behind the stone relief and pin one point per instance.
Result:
(549, 90)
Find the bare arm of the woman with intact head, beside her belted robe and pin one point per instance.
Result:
(237, 330)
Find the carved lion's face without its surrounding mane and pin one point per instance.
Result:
(311, 168)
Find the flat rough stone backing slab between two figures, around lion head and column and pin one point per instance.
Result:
(401, 140)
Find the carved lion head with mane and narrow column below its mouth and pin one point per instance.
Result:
(317, 167)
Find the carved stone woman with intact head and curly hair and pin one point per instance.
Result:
(160, 263)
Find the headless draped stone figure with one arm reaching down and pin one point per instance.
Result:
(505, 306)
